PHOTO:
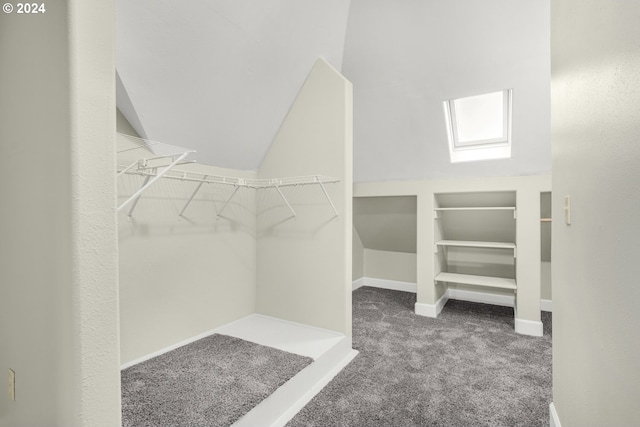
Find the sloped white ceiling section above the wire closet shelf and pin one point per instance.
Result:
(219, 76)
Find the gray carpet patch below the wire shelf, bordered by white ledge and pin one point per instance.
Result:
(211, 382)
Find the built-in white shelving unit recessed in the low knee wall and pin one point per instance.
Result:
(474, 235)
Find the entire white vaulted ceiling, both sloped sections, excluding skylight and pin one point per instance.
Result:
(219, 76)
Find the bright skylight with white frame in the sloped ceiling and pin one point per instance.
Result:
(479, 127)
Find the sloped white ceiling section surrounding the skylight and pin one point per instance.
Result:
(406, 58)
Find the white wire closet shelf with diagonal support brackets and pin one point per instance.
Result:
(154, 160)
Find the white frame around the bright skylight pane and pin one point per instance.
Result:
(484, 149)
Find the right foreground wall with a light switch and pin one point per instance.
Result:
(595, 128)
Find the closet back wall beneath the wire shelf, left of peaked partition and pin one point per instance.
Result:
(183, 276)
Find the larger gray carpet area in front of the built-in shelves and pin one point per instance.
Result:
(466, 368)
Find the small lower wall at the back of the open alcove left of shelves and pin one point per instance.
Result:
(399, 266)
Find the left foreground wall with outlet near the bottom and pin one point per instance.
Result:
(58, 252)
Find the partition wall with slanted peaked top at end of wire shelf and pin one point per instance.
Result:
(304, 263)
